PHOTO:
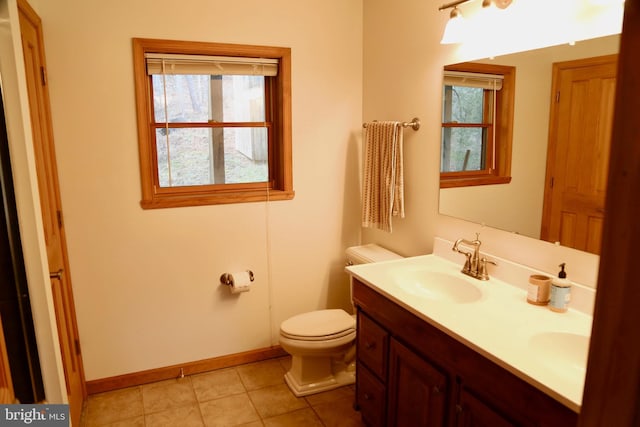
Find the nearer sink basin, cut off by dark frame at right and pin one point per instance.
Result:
(565, 352)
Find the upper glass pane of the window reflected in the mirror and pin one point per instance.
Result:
(463, 104)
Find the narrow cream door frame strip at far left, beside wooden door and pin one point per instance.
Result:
(28, 202)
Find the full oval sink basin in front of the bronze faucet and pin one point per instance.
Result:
(438, 286)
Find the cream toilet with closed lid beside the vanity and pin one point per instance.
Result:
(322, 342)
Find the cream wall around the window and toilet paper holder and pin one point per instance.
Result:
(146, 282)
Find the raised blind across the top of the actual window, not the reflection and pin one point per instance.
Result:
(158, 63)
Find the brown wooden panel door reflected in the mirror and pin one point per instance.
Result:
(578, 154)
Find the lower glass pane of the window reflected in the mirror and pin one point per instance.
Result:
(463, 149)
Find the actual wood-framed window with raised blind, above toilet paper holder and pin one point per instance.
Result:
(214, 122)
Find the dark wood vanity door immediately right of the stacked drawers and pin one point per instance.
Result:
(417, 391)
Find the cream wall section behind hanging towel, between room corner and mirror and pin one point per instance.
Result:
(402, 77)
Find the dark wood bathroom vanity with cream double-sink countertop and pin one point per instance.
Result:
(448, 355)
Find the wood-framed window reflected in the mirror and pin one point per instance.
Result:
(477, 124)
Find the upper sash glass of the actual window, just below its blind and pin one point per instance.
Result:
(200, 98)
